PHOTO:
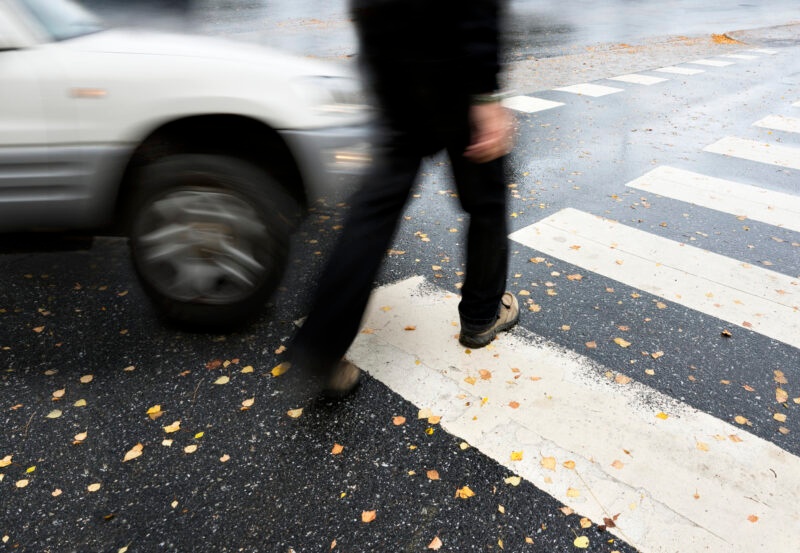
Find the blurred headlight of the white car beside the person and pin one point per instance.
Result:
(335, 95)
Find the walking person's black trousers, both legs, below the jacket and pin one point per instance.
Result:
(346, 282)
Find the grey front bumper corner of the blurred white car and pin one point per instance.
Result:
(331, 161)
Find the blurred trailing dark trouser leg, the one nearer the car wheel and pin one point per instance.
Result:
(346, 283)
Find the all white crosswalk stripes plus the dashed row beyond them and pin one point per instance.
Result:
(679, 479)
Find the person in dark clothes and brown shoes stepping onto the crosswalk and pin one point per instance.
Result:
(433, 66)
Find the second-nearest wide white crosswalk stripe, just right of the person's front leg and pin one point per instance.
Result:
(752, 297)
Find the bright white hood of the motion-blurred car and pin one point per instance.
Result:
(149, 43)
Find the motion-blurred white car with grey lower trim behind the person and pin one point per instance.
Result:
(202, 151)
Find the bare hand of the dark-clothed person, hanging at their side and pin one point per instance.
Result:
(492, 132)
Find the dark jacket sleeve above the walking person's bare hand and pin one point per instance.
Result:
(479, 27)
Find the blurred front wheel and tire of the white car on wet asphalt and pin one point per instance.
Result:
(209, 238)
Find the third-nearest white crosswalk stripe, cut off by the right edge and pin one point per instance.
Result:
(757, 204)
